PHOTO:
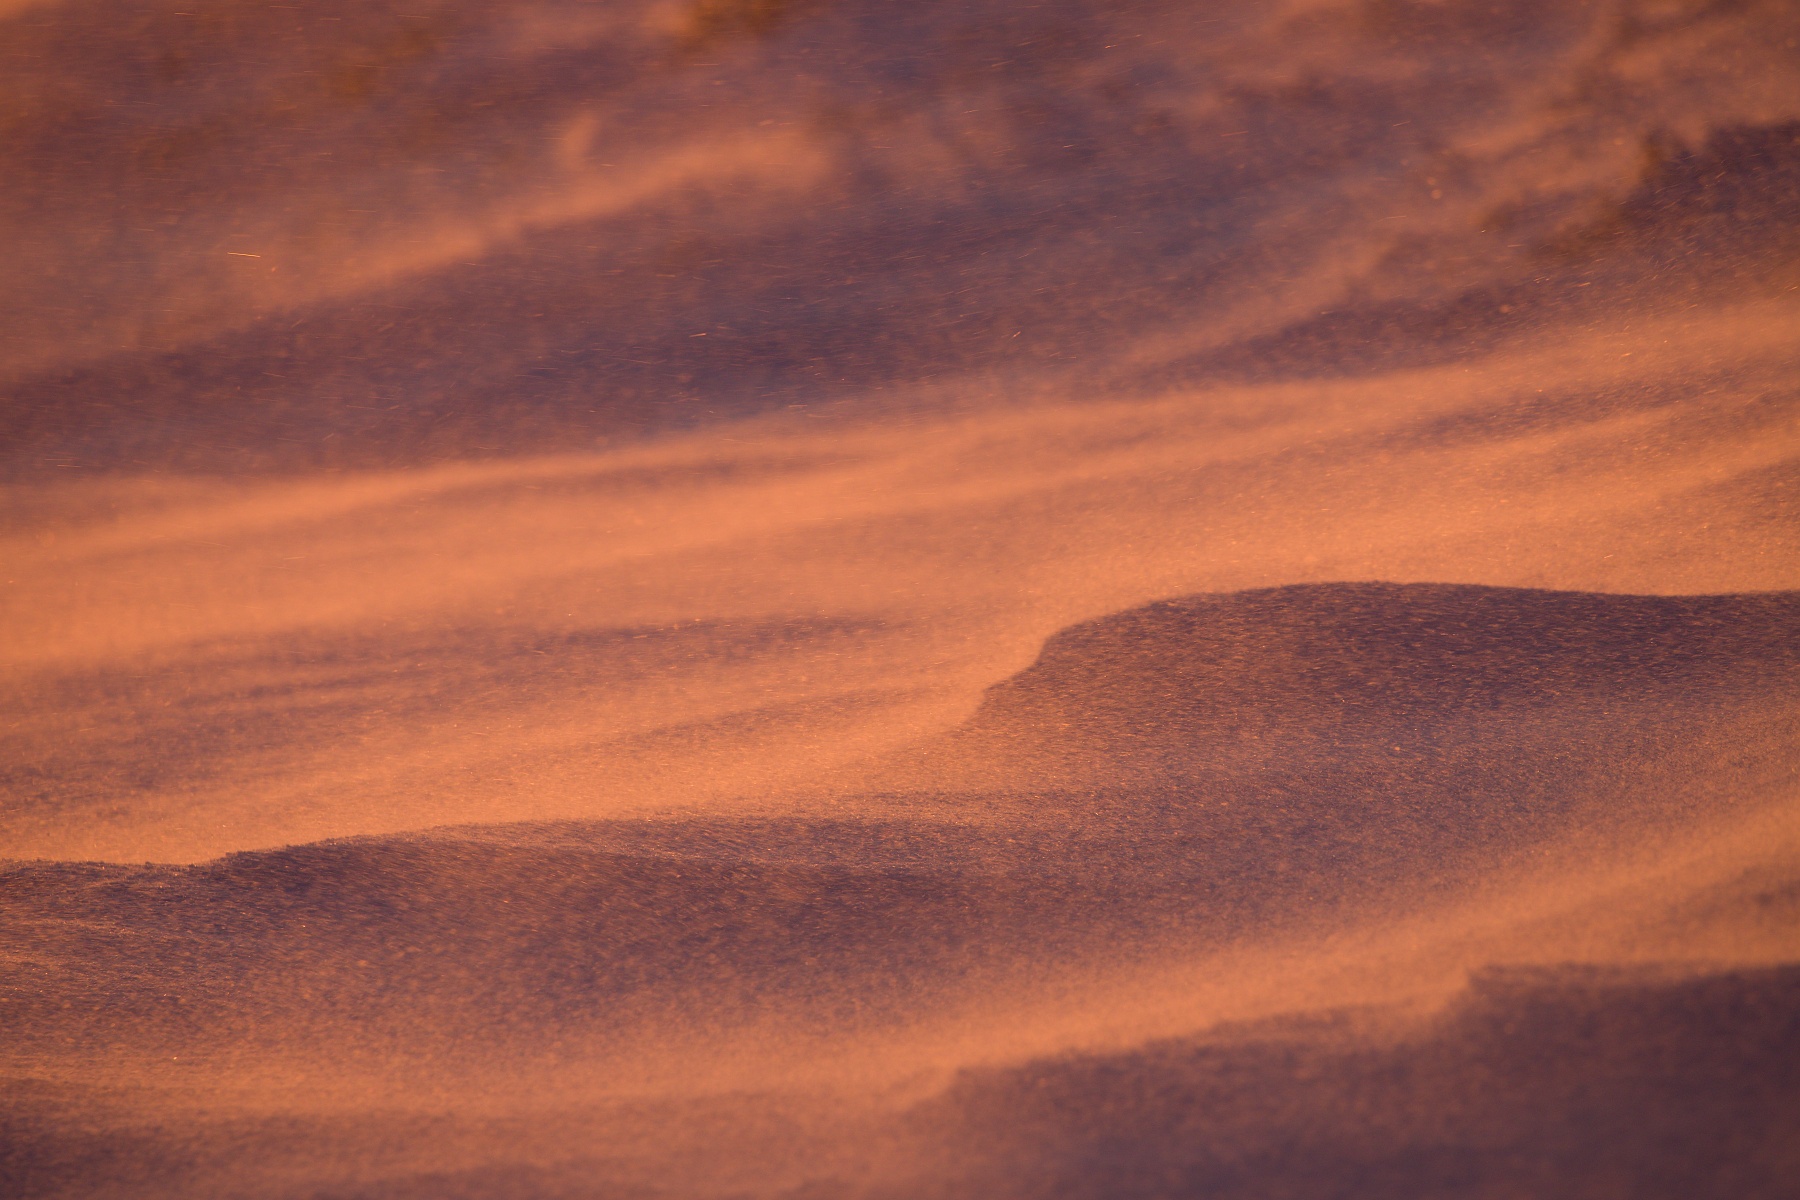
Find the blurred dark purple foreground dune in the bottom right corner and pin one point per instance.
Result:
(1545, 1082)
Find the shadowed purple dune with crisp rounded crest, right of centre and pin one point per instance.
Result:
(1322, 742)
